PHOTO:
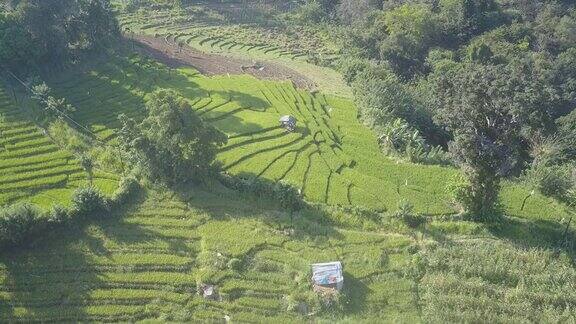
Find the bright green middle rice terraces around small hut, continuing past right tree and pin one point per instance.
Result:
(331, 157)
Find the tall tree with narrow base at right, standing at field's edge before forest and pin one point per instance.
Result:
(486, 124)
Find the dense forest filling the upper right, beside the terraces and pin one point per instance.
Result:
(493, 82)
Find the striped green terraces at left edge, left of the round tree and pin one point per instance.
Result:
(33, 168)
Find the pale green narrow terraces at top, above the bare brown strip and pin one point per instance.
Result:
(202, 32)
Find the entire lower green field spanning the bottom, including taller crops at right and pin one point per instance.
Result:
(149, 260)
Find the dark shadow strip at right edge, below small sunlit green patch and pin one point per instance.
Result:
(542, 234)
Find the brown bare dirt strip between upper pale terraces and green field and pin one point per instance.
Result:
(170, 54)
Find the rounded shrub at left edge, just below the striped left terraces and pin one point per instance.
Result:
(18, 223)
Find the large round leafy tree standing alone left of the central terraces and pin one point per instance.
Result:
(172, 144)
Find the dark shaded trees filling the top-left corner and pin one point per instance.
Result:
(37, 33)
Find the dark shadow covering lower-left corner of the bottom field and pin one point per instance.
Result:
(50, 280)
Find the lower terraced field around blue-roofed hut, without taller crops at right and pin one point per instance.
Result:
(149, 264)
